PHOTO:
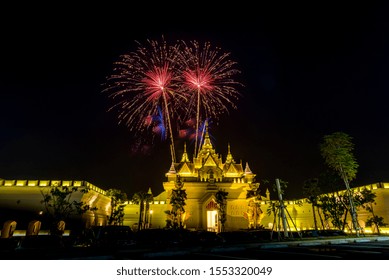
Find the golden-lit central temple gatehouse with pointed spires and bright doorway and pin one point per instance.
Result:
(202, 178)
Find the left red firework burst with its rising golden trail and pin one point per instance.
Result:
(144, 82)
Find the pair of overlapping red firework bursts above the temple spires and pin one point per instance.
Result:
(157, 87)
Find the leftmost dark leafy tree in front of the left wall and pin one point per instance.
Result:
(59, 205)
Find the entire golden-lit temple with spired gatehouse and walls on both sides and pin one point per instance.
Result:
(201, 177)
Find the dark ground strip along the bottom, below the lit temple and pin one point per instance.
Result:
(184, 245)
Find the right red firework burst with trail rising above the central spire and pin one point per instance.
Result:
(208, 76)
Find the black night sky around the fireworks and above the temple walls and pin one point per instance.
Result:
(308, 71)
